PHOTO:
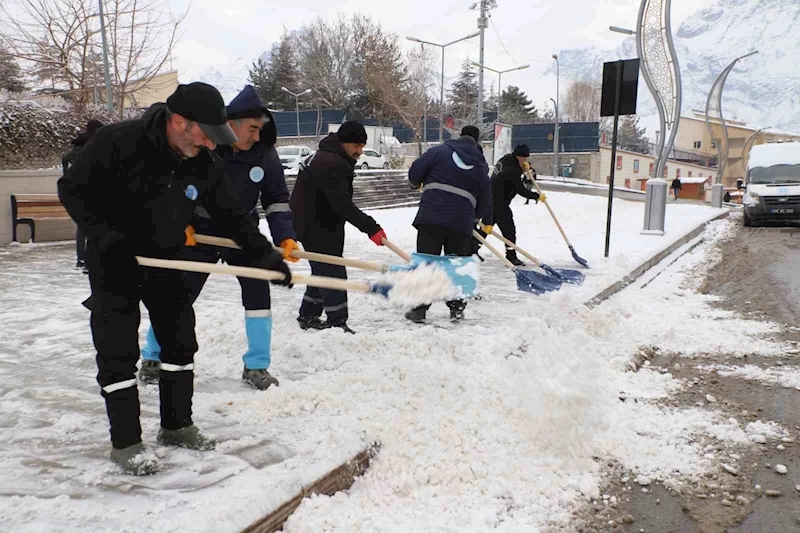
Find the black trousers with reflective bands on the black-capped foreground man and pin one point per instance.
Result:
(117, 289)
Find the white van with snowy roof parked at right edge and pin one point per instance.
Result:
(772, 191)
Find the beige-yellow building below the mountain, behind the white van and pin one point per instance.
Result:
(693, 138)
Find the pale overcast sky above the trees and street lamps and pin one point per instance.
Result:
(521, 32)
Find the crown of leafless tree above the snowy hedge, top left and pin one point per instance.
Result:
(58, 43)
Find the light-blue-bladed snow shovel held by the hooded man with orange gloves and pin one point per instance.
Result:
(462, 271)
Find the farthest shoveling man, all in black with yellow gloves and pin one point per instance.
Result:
(506, 184)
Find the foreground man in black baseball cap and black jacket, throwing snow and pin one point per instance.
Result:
(133, 190)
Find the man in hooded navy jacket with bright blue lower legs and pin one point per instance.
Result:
(255, 171)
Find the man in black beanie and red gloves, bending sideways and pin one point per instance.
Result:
(322, 202)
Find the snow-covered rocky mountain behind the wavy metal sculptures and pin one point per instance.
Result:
(763, 90)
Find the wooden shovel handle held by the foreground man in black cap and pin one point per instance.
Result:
(254, 273)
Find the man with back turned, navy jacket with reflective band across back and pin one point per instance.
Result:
(456, 195)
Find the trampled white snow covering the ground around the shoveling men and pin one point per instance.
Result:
(493, 424)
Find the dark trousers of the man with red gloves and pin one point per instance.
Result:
(316, 300)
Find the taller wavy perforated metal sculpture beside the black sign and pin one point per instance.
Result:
(660, 71)
